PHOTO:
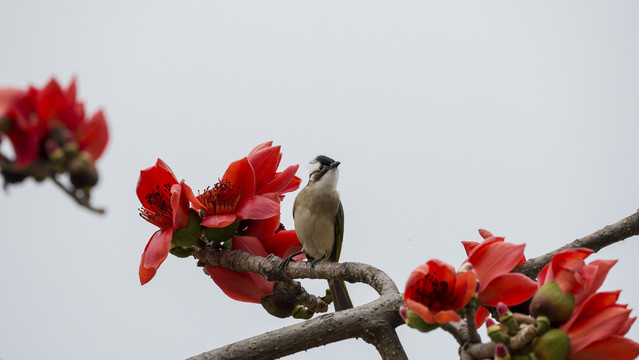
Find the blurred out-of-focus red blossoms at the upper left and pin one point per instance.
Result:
(35, 113)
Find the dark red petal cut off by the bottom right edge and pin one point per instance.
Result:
(614, 347)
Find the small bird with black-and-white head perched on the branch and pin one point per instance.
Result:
(319, 221)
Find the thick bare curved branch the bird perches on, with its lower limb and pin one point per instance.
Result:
(374, 322)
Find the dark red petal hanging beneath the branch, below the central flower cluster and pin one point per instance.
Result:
(247, 287)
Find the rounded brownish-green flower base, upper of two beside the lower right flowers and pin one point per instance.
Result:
(551, 302)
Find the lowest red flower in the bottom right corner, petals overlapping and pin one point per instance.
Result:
(597, 327)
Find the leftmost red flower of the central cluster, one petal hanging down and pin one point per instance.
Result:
(165, 206)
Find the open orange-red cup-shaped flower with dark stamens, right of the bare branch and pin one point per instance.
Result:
(435, 291)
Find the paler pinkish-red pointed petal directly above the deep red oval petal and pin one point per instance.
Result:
(493, 258)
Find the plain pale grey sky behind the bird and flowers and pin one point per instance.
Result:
(447, 118)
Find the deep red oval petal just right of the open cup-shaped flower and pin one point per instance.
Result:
(509, 288)
